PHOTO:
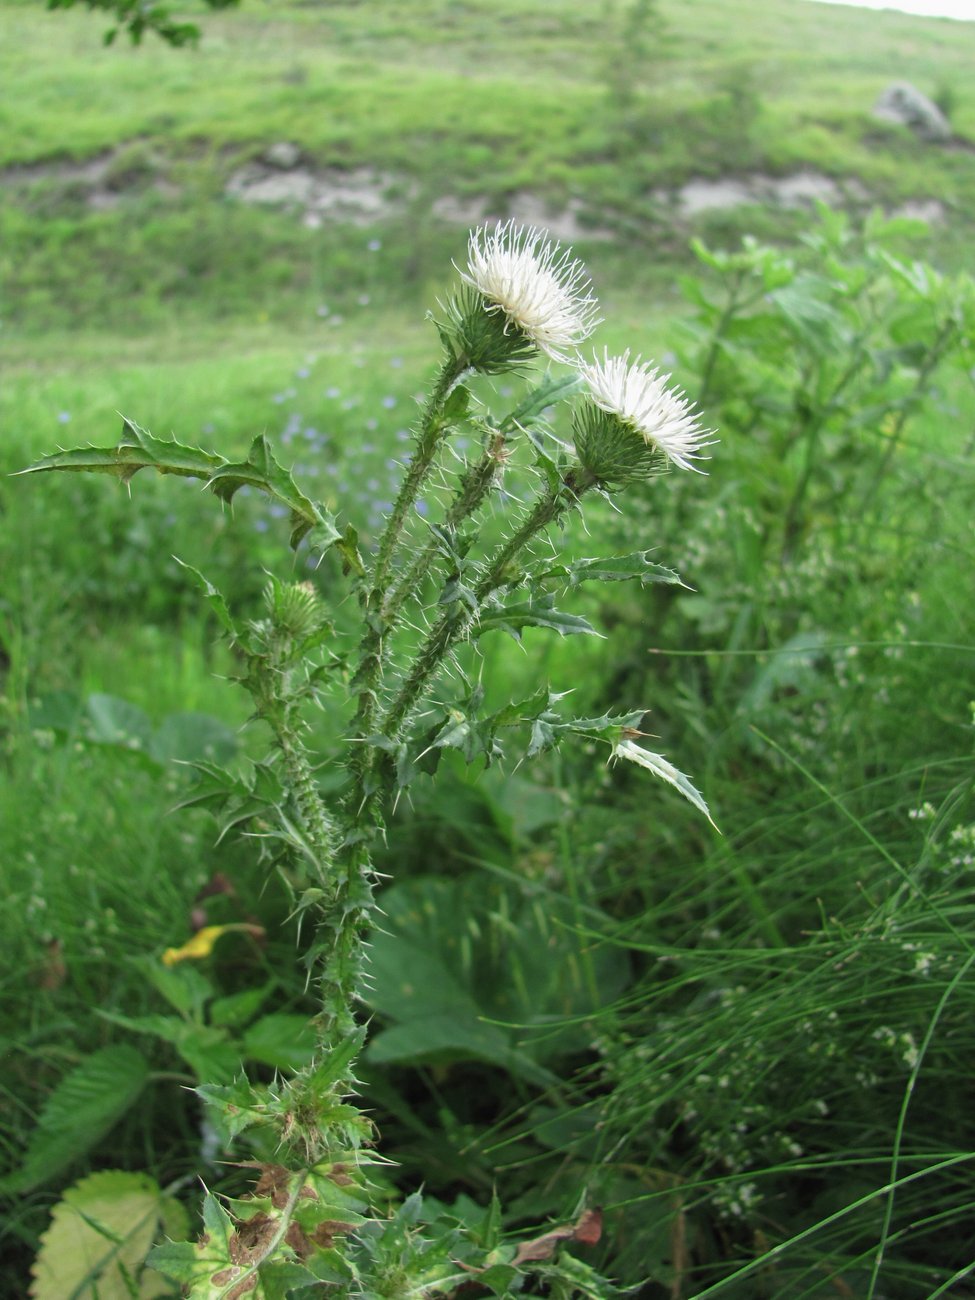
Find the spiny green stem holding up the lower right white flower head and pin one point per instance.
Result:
(450, 627)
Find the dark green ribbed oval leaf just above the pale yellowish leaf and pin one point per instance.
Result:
(80, 1112)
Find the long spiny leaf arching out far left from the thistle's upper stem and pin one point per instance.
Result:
(141, 450)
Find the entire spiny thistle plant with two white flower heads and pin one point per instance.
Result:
(314, 1219)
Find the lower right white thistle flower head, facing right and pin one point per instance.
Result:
(640, 398)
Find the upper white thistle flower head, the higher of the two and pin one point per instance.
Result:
(539, 288)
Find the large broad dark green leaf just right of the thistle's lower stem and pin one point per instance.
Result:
(458, 991)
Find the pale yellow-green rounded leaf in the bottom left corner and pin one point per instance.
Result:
(98, 1241)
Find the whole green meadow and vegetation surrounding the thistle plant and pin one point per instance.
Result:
(751, 1047)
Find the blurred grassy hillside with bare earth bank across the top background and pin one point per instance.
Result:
(116, 159)
